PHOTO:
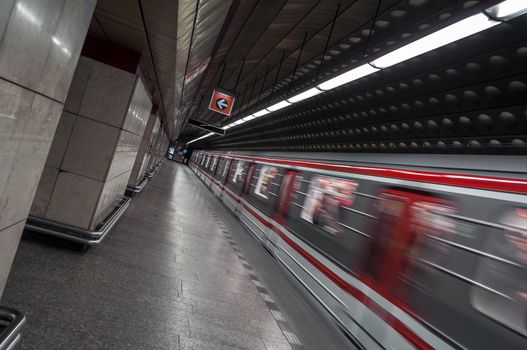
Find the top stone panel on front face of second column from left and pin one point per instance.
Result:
(107, 94)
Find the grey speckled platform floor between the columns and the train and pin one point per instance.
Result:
(177, 272)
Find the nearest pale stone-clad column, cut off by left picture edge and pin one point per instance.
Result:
(40, 43)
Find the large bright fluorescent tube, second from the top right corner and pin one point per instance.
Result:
(442, 37)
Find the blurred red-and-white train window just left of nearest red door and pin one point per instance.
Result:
(326, 197)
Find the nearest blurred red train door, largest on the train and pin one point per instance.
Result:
(406, 239)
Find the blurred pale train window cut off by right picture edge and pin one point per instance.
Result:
(502, 275)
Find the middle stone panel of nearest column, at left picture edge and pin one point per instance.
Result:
(27, 125)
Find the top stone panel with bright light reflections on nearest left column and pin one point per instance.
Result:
(42, 42)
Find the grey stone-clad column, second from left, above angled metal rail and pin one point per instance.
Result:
(96, 143)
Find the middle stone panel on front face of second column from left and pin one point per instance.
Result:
(91, 148)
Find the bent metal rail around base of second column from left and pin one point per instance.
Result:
(77, 234)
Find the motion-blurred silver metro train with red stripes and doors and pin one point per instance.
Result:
(404, 251)
